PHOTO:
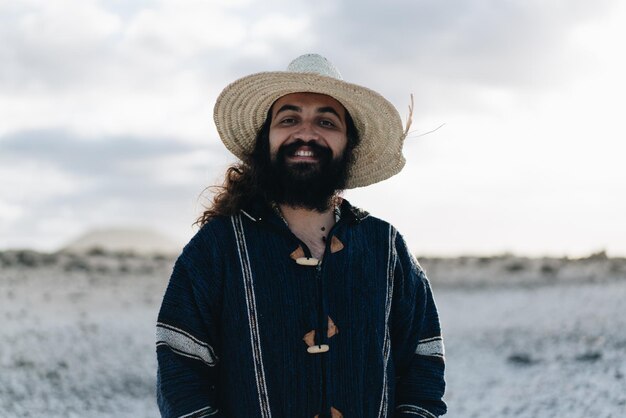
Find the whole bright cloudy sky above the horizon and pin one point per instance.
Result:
(106, 114)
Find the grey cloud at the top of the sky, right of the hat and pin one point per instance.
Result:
(489, 42)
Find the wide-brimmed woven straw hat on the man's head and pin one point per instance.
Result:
(242, 107)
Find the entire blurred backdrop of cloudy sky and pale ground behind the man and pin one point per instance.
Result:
(512, 197)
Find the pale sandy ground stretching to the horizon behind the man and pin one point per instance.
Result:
(524, 337)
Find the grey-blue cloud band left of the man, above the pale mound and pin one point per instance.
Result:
(56, 175)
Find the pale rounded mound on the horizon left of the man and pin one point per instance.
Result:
(136, 240)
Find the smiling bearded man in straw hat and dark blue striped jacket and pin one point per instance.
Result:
(290, 302)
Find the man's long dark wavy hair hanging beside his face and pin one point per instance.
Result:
(242, 181)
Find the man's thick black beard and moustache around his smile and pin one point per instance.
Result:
(309, 185)
